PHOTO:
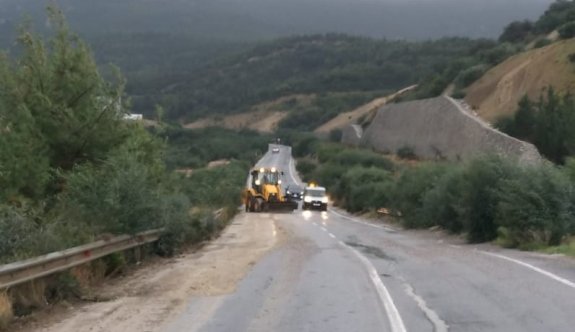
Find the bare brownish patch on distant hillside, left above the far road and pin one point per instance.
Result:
(264, 117)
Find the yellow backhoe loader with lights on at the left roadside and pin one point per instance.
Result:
(265, 193)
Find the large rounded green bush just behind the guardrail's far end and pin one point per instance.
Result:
(121, 196)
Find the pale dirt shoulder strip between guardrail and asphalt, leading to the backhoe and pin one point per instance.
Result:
(151, 297)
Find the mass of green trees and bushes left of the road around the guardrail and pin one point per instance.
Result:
(73, 170)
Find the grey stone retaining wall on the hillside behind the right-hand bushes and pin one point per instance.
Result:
(438, 128)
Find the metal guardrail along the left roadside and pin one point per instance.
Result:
(34, 268)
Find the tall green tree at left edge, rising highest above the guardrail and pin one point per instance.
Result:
(55, 109)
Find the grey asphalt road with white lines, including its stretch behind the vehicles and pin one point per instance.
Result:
(340, 273)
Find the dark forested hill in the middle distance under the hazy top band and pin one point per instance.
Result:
(304, 65)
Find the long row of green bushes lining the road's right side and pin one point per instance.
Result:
(487, 199)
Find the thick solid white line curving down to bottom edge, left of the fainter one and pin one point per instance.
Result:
(395, 321)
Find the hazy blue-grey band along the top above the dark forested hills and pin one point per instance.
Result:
(254, 19)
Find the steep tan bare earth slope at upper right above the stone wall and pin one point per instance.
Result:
(497, 93)
